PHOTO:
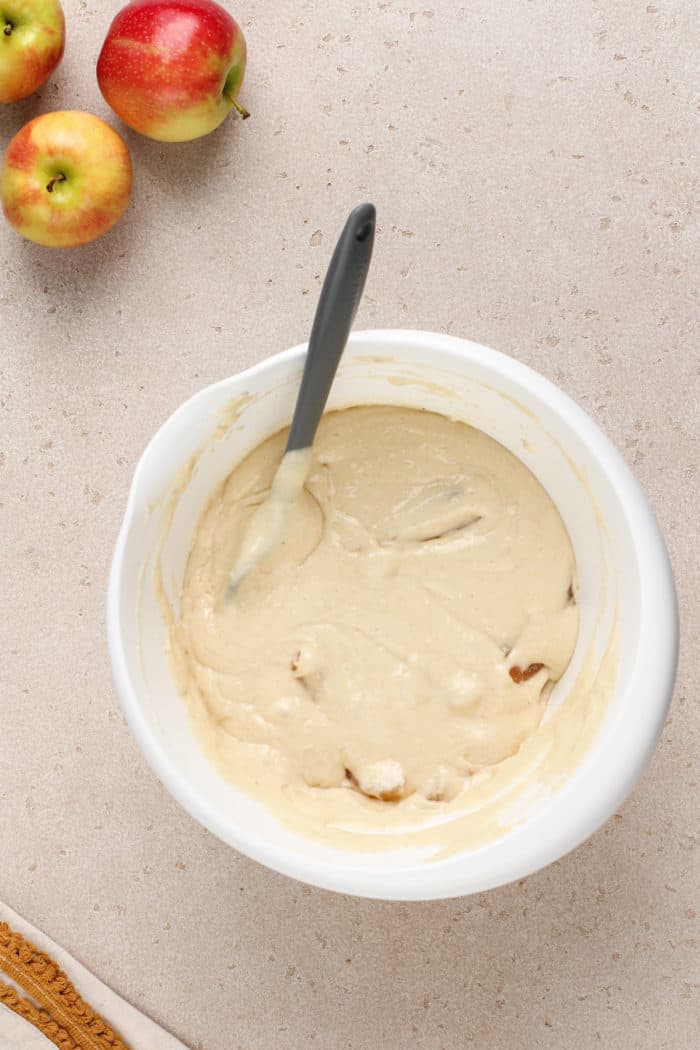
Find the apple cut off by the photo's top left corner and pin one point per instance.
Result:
(32, 43)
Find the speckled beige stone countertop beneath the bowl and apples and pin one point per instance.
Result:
(533, 167)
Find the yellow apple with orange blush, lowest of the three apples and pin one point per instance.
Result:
(66, 180)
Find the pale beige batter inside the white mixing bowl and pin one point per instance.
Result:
(398, 647)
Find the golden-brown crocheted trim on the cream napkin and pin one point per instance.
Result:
(55, 1007)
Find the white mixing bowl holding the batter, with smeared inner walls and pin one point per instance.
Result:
(626, 585)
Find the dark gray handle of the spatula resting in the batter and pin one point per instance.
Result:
(335, 313)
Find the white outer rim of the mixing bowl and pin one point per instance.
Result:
(610, 773)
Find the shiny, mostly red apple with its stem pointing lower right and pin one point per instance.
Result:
(172, 69)
